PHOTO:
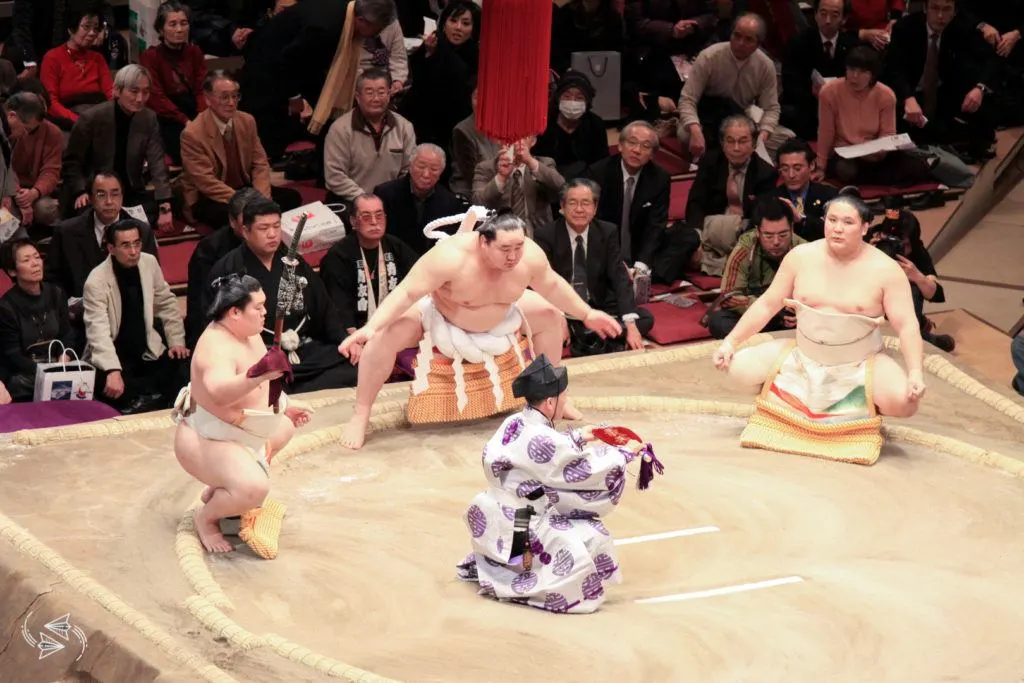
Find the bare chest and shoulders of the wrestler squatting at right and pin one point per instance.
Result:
(857, 286)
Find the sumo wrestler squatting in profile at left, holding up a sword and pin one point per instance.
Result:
(227, 436)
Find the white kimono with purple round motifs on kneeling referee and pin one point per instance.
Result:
(573, 552)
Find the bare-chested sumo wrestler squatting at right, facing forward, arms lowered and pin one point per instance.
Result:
(838, 286)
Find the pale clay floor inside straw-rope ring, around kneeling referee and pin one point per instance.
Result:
(911, 569)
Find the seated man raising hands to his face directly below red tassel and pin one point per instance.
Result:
(520, 182)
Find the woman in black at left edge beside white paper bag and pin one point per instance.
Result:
(33, 314)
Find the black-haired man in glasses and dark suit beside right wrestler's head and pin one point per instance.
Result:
(797, 165)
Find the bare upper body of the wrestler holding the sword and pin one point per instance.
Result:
(219, 350)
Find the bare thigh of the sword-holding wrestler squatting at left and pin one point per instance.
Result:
(220, 464)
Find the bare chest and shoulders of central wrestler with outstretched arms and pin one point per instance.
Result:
(476, 296)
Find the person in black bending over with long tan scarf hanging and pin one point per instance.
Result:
(289, 60)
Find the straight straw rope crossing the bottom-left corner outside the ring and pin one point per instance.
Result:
(26, 543)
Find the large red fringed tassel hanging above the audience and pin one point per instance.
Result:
(513, 84)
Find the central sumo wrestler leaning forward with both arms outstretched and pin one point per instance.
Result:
(476, 281)
